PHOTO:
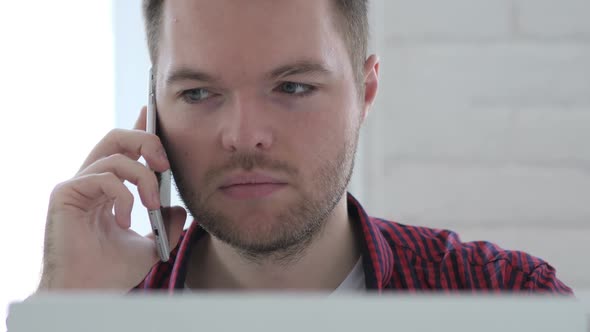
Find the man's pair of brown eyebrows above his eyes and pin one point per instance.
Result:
(296, 68)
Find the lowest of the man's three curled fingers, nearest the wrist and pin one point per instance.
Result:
(86, 191)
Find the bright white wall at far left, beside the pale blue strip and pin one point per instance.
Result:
(57, 102)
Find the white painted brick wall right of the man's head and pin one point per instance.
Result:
(482, 124)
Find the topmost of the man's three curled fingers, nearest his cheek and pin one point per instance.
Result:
(133, 144)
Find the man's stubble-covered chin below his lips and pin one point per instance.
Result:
(277, 221)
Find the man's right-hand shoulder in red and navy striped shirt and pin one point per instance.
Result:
(438, 259)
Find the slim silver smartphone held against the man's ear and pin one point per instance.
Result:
(164, 178)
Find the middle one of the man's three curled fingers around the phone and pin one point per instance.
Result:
(129, 170)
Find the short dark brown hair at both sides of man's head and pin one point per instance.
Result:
(352, 22)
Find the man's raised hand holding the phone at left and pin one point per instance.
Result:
(86, 245)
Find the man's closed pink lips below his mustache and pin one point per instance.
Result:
(251, 186)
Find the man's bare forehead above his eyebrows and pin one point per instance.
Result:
(235, 34)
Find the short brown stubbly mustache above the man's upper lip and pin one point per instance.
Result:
(249, 162)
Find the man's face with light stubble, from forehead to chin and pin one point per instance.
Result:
(259, 114)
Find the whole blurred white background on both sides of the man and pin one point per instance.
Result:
(482, 123)
